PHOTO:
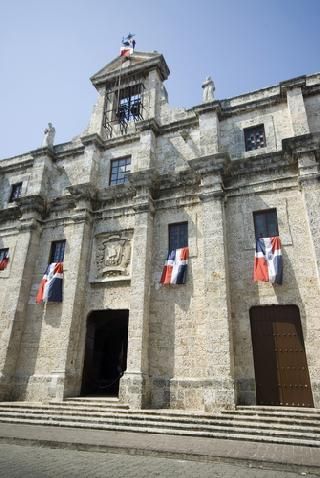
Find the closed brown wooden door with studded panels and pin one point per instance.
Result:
(281, 370)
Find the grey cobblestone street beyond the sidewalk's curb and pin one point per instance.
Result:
(32, 462)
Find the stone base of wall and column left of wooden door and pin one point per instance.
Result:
(192, 394)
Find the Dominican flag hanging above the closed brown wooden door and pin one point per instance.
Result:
(268, 260)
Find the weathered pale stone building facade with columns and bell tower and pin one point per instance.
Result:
(112, 194)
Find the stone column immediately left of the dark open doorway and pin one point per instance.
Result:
(66, 377)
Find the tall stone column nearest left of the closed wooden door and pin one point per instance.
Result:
(219, 344)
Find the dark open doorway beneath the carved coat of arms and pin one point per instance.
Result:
(105, 352)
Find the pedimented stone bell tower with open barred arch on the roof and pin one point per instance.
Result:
(129, 92)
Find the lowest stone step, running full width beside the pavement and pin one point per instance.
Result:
(238, 434)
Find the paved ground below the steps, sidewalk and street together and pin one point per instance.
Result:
(34, 451)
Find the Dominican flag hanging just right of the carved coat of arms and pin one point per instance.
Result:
(175, 268)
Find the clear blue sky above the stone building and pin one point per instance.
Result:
(49, 49)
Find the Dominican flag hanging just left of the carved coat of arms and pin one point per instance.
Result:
(50, 289)
